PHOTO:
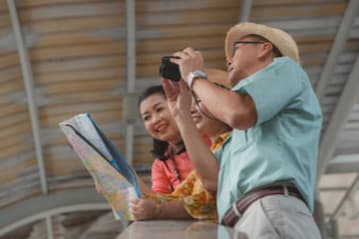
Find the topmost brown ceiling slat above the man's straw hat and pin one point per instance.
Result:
(289, 10)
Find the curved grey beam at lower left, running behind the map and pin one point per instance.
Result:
(43, 206)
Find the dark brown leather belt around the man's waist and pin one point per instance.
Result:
(233, 214)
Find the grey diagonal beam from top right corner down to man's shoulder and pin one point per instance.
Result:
(338, 46)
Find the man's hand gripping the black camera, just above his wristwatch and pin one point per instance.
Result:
(189, 60)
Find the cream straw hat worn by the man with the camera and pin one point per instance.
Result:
(282, 40)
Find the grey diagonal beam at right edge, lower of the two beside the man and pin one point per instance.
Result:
(344, 106)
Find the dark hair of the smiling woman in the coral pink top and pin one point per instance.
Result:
(159, 147)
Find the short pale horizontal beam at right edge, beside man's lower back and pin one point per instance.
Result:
(343, 164)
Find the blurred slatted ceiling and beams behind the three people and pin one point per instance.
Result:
(59, 58)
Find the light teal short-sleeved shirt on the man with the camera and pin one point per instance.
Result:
(282, 145)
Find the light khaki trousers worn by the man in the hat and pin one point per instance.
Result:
(277, 216)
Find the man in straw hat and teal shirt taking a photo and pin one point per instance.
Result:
(267, 169)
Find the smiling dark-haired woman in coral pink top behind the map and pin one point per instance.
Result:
(172, 164)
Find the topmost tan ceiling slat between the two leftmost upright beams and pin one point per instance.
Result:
(53, 11)
